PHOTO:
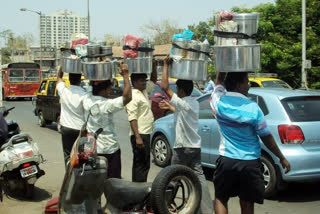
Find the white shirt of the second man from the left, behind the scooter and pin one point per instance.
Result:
(107, 142)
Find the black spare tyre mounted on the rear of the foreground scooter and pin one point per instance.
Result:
(160, 186)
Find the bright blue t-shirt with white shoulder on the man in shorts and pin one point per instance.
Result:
(241, 122)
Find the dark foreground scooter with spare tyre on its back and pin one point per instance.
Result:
(176, 189)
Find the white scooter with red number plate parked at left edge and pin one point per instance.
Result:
(19, 162)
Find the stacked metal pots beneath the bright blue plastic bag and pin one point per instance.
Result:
(190, 59)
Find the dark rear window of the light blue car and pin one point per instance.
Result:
(302, 109)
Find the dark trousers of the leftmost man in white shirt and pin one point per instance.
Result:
(69, 136)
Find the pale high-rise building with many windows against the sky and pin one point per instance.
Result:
(58, 27)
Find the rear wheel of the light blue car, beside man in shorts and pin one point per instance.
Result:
(269, 177)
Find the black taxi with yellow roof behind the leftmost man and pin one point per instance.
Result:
(47, 102)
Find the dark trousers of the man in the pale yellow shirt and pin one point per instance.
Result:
(141, 159)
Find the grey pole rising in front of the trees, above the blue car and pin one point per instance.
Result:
(304, 83)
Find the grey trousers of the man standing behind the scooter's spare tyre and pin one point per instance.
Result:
(191, 157)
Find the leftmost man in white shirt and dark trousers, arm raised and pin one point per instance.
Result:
(72, 113)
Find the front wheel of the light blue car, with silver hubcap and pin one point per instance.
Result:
(161, 151)
